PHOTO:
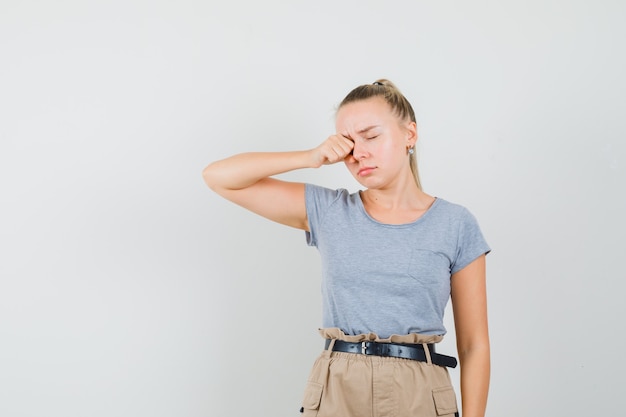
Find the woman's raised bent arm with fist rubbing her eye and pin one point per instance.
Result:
(245, 179)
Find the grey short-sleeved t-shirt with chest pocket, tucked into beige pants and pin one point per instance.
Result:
(383, 278)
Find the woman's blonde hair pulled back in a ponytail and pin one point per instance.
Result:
(398, 103)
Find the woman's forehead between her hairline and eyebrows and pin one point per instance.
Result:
(363, 113)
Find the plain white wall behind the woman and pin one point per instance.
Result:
(128, 289)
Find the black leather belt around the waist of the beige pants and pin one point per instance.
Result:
(415, 352)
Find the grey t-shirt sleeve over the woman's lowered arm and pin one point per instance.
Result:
(471, 243)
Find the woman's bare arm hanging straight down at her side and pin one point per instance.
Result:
(469, 303)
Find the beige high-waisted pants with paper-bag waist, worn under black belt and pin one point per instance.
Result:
(354, 385)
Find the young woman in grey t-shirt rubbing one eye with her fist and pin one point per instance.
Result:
(392, 256)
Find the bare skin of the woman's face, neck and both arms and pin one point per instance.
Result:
(372, 142)
